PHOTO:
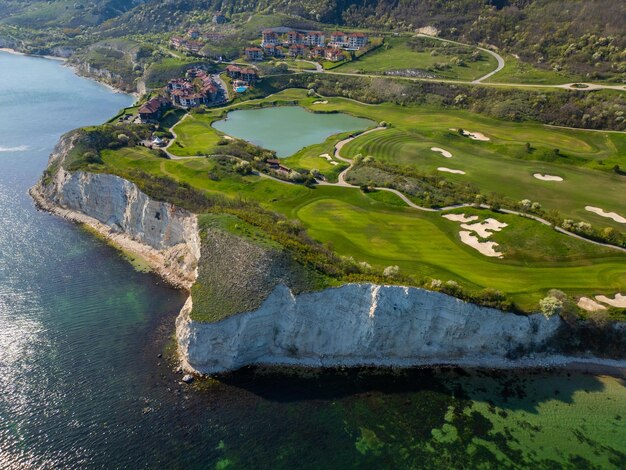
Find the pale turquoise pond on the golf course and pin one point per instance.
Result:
(287, 129)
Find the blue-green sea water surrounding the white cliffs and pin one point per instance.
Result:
(82, 384)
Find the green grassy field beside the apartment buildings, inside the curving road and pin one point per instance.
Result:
(438, 58)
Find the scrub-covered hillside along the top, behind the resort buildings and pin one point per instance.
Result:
(582, 37)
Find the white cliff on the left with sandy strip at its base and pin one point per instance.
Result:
(162, 234)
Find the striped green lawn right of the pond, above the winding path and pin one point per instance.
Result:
(504, 169)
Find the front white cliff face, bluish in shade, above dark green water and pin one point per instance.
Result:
(361, 324)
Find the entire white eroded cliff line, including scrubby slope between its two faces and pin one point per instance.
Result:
(251, 303)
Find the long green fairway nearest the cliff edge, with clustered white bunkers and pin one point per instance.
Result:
(421, 243)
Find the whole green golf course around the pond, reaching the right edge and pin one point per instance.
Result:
(378, 229)
